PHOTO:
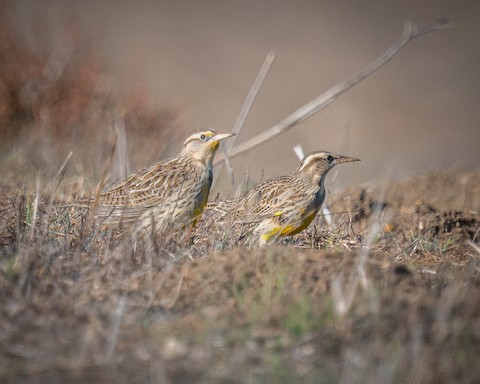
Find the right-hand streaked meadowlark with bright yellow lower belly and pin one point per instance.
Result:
(286, 205)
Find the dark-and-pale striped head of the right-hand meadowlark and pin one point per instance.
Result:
(317, 164)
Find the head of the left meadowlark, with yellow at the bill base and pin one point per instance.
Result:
(203, 145)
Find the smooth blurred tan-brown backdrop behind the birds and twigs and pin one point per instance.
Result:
(199, 58)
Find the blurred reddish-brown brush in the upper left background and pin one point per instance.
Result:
(58, 99)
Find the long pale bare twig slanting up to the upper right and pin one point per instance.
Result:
(410, 33)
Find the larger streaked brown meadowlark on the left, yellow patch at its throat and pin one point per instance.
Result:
(169, 194)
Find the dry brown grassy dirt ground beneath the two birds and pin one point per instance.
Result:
(386, 290)
